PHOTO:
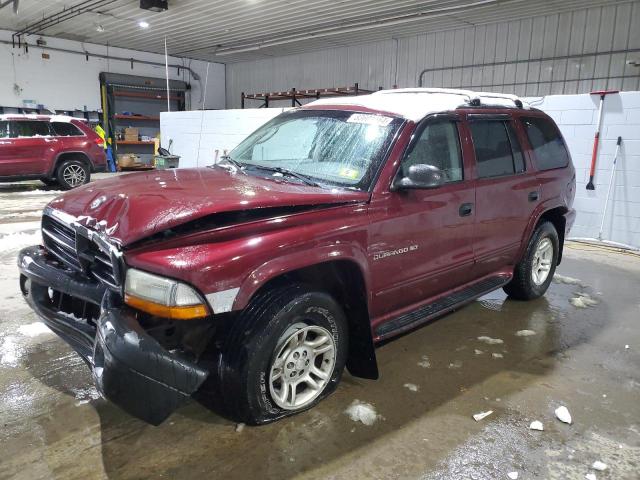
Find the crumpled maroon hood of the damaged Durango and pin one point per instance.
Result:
(134, 206)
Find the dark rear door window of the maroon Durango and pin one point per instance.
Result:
(497, 150)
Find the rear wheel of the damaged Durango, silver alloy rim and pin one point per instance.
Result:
(532, 276)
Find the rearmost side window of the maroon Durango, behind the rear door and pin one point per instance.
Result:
(549, 149)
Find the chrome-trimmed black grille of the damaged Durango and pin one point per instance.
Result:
(75, 248)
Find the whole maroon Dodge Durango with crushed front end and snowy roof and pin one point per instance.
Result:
(332, 227)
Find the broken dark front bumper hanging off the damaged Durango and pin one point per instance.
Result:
(129, 367)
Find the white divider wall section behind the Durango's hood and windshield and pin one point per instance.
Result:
(221, 130)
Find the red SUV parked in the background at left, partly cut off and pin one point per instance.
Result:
(58, 150)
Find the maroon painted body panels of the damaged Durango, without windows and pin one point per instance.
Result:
(351, 226)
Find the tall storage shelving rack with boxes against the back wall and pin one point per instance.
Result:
(143, 98)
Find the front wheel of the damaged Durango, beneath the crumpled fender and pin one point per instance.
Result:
(284, 353)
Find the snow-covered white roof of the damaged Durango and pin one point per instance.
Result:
(416, 103)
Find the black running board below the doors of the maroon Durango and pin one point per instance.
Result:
(441, 305)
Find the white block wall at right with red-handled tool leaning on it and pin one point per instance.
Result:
(577, 115)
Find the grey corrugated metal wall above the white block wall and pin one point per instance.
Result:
(573, 52)
